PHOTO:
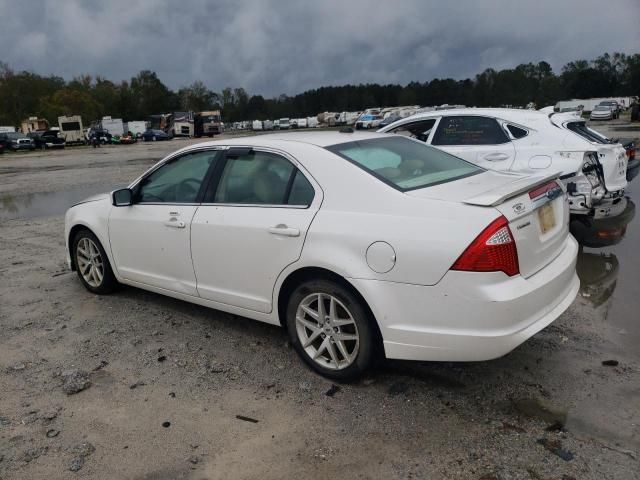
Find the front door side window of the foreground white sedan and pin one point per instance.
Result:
(177, 181)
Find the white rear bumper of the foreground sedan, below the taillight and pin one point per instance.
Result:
(471, 316)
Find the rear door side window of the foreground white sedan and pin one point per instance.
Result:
(262, 178)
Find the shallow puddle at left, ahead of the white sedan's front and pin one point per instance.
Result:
(34, 205)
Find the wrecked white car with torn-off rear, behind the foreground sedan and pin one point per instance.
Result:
(527, 141)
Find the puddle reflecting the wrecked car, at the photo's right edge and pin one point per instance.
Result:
(610, 283)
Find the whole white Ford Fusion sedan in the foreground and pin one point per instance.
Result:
(358, 243)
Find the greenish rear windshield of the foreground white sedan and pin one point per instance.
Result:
(403, 163)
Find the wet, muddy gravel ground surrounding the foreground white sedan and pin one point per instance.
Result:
(168, 379)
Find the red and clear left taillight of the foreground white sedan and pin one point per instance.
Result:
(494, 250)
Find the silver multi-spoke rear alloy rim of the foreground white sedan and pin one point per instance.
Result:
(327, 331)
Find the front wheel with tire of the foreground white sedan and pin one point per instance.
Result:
(98, 260)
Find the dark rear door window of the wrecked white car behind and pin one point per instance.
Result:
(469, 130)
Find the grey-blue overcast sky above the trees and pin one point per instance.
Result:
(271, 47)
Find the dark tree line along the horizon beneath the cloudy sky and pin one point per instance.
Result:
(24, 94)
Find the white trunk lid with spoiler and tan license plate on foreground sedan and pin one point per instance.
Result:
(535, 207)
